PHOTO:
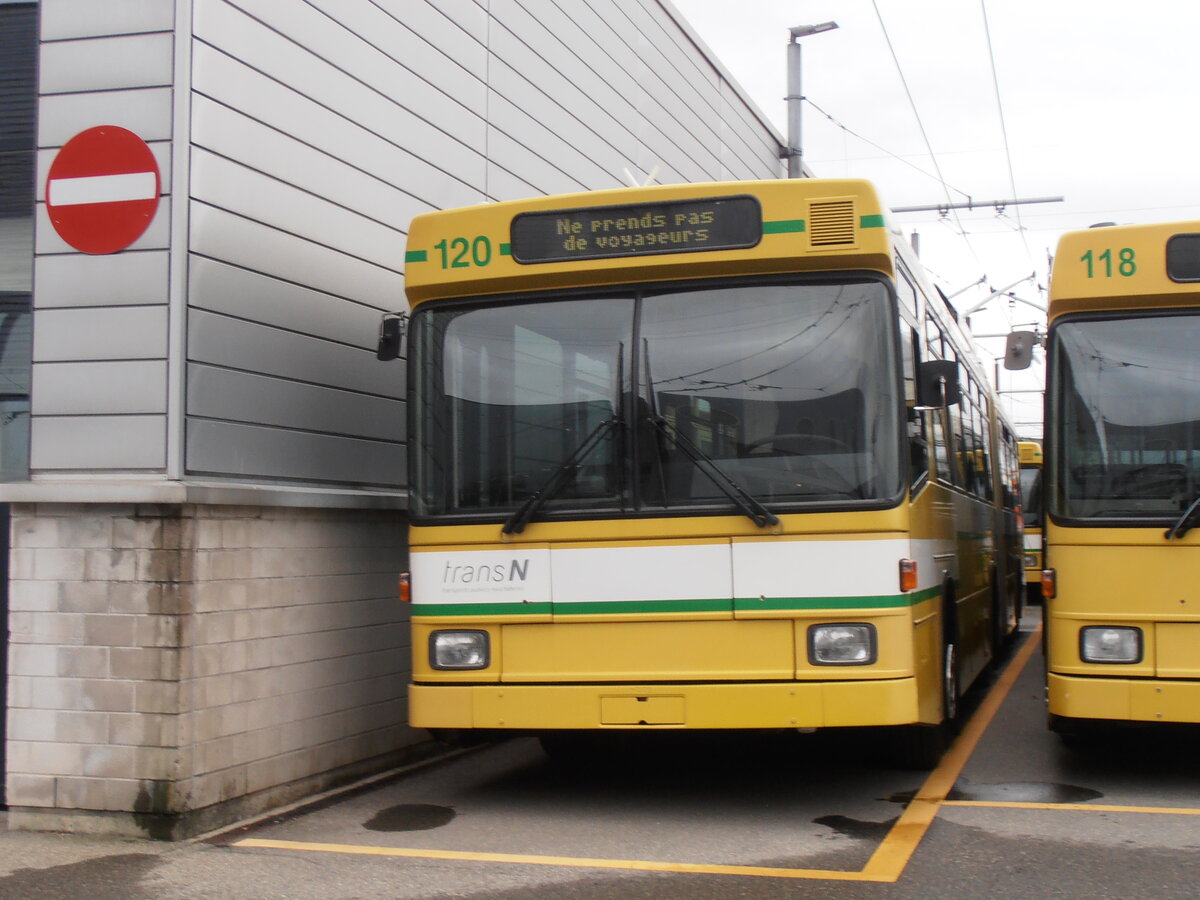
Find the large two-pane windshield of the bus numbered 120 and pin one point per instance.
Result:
(788, 391)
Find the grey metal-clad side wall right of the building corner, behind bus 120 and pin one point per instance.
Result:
(321, 128)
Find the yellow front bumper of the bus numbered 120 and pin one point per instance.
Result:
(793, 705)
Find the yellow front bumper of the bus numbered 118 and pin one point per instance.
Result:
(1124, 699)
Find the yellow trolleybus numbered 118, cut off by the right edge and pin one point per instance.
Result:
(1123, 477)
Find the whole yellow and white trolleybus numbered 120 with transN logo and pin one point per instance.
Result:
(709, 457)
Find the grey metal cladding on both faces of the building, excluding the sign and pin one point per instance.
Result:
(319, 129)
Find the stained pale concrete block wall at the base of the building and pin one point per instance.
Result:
(175, 668)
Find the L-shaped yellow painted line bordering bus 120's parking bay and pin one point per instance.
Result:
(886, 865)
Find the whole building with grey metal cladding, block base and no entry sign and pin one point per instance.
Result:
(203, 460)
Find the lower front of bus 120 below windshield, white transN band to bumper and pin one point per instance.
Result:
(579, 662)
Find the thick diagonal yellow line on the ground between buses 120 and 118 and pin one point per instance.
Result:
(893, 855)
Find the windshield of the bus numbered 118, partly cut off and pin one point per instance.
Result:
(1126, 417)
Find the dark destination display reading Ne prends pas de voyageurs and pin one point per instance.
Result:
(637, 230)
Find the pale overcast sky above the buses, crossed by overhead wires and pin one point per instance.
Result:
(1097, 104)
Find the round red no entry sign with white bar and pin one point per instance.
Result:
(103, 190)
